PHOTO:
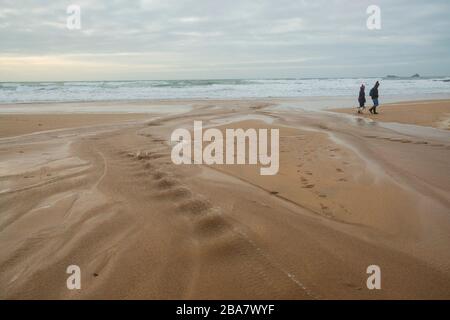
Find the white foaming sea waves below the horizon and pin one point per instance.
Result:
(69, 91)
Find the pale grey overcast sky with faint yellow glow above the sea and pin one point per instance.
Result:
(191, 39)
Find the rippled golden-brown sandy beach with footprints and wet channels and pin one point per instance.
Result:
(100, 191)
